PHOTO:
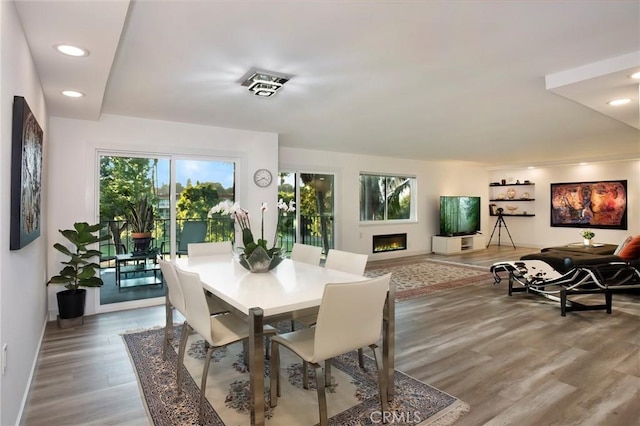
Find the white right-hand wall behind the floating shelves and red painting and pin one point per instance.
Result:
(537, 231)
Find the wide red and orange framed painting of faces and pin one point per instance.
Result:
(601, 204)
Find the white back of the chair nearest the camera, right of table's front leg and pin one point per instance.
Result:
(345, 326)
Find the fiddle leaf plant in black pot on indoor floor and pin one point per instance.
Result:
(79, 270)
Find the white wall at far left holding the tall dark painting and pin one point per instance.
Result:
(22, 272)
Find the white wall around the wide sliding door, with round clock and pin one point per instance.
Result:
(73, 167)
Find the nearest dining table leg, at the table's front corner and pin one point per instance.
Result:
(256, 365)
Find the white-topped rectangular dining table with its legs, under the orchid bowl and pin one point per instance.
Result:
(272, 296)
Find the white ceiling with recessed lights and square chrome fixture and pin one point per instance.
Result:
(432, 80)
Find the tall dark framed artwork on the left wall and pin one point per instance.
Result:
(26, 175)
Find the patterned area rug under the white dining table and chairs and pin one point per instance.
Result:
(352, 398)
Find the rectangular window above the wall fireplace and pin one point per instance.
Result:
(386, 197)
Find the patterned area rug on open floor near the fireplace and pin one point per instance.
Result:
(421, 277)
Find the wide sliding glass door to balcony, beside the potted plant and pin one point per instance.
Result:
(181, 192)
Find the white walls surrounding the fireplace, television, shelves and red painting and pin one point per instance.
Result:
(453, 178)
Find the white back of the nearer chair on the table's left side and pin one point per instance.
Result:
(197, 314)
